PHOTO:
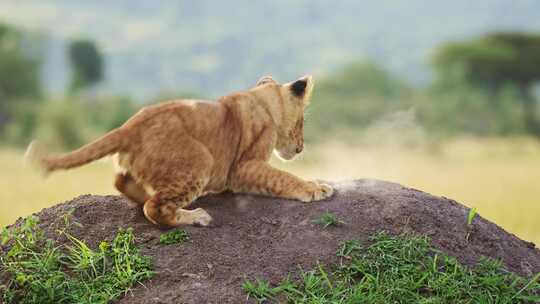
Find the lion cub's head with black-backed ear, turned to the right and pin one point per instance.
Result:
(295, 97)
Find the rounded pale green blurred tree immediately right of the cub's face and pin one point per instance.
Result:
(353, 98)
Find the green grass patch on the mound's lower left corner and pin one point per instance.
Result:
(38, 270)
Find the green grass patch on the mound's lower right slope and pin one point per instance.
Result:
(403, 269)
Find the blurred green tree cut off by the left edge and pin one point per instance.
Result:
(19, 71)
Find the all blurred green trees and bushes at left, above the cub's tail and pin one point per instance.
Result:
(63, 123)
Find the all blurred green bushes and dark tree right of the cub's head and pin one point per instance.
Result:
(484, 87)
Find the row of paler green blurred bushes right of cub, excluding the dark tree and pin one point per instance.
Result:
(386, 103)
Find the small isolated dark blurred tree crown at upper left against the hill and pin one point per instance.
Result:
(86, 63)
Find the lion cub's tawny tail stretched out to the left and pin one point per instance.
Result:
(103, 146)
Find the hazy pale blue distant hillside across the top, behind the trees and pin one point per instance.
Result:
(218, 46)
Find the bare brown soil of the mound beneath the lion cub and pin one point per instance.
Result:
(259, 237)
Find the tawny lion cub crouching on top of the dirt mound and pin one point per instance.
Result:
(174, 152)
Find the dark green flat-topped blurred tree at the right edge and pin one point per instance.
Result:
(494, 61)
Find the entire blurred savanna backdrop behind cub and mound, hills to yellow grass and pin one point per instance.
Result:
(438, 95)
